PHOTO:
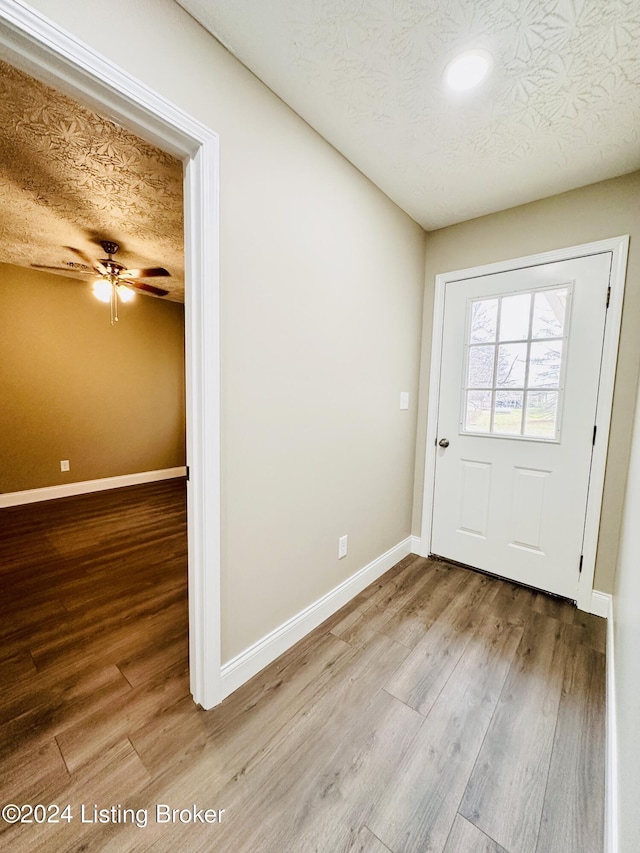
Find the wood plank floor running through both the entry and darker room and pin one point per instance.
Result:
(440, 711)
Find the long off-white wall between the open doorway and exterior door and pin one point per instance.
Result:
(322, 287)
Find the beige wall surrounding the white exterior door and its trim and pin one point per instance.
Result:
(607, 209)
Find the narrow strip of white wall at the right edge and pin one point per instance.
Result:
(626, 608)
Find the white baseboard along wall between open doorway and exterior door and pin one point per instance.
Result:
(245, 665)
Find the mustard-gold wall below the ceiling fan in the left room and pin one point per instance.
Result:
(108, 399)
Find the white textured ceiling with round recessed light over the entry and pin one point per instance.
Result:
(560, 110)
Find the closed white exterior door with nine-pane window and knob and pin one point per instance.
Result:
(521, 358)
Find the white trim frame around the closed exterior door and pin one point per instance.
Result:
(618, 246)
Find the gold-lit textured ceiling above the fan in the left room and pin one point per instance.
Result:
(69, 177)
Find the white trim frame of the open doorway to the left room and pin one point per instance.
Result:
(31, 42)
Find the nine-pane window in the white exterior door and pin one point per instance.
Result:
(514, 365)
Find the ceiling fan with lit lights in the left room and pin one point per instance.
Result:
(116, 283)
